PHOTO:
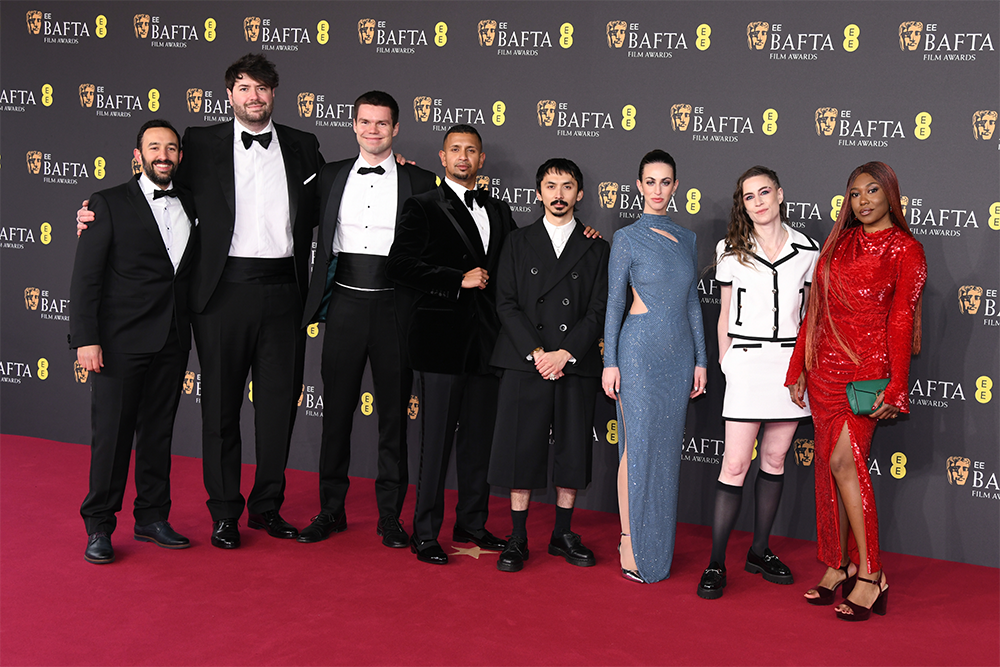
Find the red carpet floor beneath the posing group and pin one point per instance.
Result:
(351, 601)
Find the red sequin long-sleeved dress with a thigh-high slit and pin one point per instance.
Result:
(875, 282)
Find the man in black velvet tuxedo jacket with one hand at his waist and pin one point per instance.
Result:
(447, 246)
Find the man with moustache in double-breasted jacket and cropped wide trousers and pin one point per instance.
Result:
(552, 293)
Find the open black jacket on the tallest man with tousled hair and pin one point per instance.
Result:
(208, 173)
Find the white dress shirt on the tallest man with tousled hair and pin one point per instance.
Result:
(263, 227)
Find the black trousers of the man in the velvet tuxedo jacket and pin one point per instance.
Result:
(468, 402)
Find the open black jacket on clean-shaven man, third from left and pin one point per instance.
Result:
(410, 180)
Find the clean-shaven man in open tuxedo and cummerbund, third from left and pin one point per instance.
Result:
(361, 199)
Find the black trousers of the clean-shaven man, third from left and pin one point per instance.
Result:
(361, 326)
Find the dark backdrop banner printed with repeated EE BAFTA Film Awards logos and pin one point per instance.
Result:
(809, 90)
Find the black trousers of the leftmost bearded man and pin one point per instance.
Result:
(133, 395)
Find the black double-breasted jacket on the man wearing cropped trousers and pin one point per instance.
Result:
(549, 302)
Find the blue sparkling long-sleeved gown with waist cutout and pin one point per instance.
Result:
(656, 353)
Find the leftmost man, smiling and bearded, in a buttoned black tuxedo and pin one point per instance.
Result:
(131, 328)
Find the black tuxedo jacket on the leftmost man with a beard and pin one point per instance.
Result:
(124, 293)
